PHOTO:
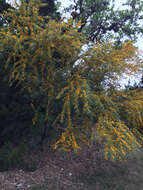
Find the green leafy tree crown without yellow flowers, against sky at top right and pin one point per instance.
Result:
(100, 20)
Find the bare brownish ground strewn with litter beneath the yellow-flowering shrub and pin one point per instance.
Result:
(86, 171)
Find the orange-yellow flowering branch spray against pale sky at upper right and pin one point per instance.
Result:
(106, 63)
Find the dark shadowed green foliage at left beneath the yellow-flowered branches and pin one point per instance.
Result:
(15, 112)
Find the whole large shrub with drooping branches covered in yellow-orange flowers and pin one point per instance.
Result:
(72, 89)
